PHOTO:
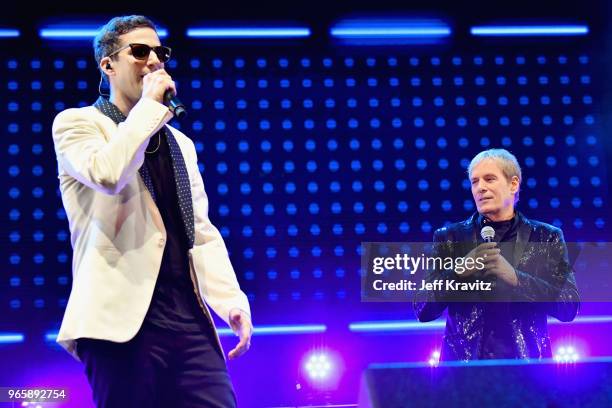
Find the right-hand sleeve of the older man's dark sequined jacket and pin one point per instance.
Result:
(556, 286)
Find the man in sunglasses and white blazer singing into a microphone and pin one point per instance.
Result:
(147, 262)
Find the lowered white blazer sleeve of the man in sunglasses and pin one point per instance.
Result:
(220, 286)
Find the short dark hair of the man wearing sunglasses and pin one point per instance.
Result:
(107, 39)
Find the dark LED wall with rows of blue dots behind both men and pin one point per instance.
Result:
(307, 152)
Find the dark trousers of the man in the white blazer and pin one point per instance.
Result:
(157, 368)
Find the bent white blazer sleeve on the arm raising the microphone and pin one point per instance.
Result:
(106, 163)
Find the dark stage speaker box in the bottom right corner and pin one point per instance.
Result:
(489, 383)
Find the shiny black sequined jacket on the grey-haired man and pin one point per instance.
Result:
(546, 287)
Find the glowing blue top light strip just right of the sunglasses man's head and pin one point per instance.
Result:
(249, 32)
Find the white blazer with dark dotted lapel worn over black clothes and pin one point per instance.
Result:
(116, 230)
